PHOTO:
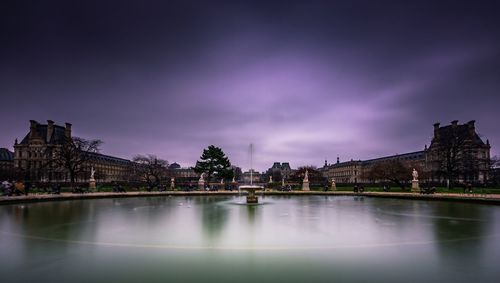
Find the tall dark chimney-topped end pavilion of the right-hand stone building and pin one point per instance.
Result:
(457, 153)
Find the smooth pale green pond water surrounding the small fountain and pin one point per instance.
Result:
(216, 239)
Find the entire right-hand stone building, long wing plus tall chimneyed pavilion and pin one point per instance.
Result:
(470, 158)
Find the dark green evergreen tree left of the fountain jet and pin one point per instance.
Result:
(214, 163)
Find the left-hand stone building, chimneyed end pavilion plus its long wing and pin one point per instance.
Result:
(34, 155)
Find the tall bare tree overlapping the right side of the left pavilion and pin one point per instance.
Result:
(74, 155)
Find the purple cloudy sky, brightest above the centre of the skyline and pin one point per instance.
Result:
(304, 81)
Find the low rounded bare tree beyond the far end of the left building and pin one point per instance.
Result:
(150, 169)
